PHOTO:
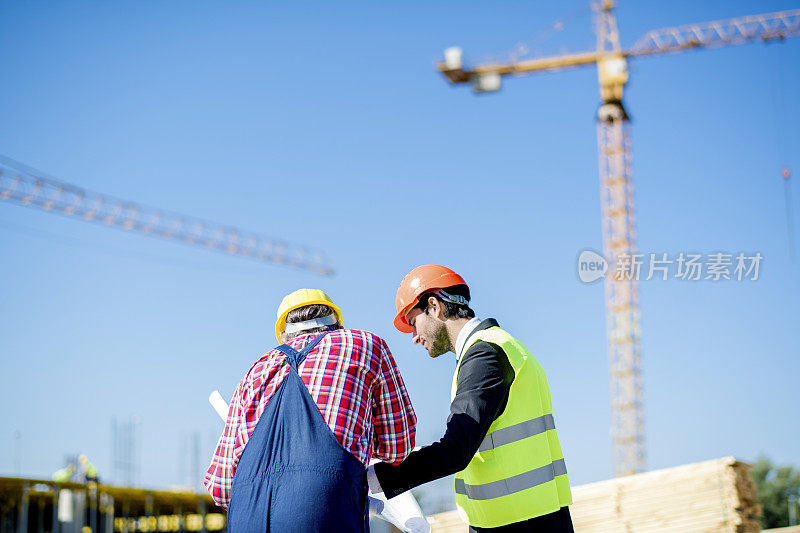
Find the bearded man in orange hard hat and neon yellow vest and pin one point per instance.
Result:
(500, 440)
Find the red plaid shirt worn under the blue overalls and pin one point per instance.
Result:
(352, 377)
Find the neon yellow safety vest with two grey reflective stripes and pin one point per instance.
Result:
(518, 472)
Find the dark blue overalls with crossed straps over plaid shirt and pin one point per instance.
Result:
(294, 476)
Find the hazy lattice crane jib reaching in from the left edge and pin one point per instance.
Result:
(28, 187)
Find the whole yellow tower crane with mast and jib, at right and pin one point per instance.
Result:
(616, 181)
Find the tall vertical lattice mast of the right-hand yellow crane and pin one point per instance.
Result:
(623, 329)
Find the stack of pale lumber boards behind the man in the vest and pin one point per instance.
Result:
(713, 496)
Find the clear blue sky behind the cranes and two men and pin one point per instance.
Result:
(327, 125)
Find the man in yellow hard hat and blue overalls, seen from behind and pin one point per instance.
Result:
(304, 423)
